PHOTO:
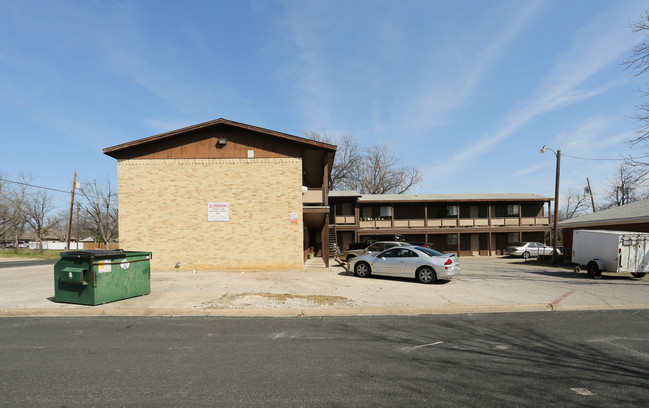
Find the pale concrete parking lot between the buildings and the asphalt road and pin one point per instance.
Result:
(492, 284)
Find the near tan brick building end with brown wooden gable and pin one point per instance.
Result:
(223, 195)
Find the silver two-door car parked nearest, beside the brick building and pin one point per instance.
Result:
(424, 264)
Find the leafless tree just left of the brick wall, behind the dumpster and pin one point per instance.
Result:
(100, 207)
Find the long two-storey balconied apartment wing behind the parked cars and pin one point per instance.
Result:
(469, 224)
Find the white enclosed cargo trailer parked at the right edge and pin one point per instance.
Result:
(611, 251)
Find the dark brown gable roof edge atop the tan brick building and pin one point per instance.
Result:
(113, 151)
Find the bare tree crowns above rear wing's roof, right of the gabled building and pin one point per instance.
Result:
(369, 171)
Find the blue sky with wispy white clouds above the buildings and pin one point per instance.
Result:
(467, 91)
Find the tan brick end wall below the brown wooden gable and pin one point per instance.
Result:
(163, 209)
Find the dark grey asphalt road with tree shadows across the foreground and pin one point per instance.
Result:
(565, 359)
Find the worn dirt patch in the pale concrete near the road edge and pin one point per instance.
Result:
(262, 300)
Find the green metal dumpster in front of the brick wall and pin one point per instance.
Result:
(94, 277)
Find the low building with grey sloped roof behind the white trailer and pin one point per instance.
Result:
(630, 217)
